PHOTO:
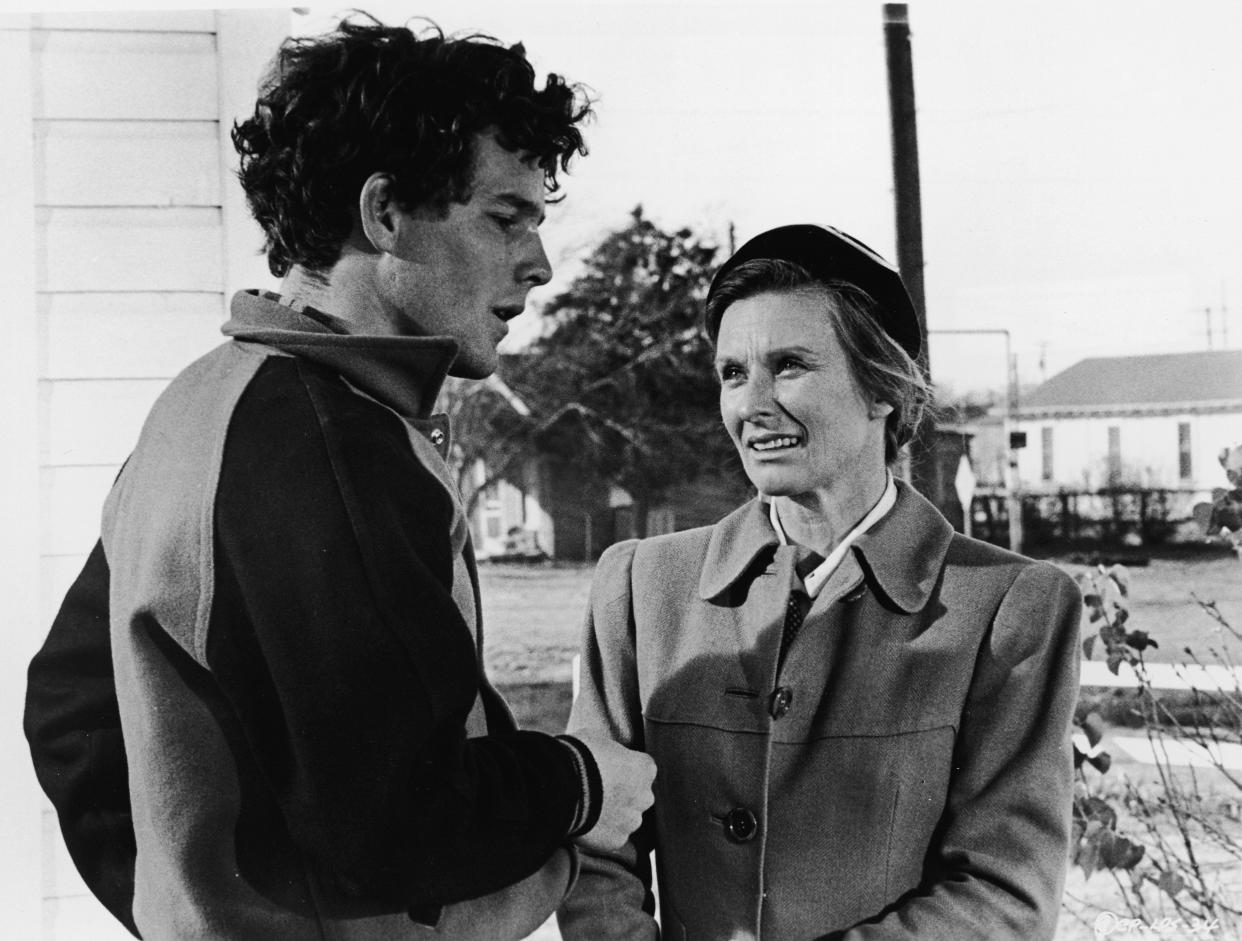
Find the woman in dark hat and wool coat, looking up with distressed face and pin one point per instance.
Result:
(861, 719)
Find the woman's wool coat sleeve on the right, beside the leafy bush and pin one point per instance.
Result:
(1005, 832)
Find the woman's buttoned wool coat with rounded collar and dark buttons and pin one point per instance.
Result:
(918, 784)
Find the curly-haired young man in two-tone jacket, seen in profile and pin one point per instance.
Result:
(311, 748)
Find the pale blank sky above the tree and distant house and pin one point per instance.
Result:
(1079, 158)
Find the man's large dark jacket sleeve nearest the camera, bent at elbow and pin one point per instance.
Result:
(337, 642)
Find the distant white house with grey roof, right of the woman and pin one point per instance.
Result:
(1156, 421)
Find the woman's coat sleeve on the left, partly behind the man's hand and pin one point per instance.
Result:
(613, 898)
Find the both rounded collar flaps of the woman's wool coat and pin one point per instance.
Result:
(902, 554)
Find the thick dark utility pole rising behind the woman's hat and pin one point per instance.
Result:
(925, 466)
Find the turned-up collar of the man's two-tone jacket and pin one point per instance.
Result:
(404, 373)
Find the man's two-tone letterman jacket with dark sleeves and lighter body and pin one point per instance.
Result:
(314, 749)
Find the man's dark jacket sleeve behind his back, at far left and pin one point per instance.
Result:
(74, 729)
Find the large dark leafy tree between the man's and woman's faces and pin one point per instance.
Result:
(620, 388)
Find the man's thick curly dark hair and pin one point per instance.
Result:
(372, 99)
